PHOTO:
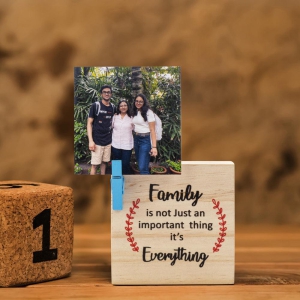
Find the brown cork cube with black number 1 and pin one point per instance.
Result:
(36, 232)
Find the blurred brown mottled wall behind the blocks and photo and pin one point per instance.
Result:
(240, 63)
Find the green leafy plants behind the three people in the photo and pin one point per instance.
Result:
(161, 85)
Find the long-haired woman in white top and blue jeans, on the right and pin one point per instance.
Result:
(144, 133)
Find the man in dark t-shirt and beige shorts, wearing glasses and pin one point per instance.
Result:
(99, 130)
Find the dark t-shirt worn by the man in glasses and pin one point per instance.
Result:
(102, 133)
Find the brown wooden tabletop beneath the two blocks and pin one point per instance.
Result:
(267, 267)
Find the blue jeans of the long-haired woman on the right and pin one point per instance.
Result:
(142, 147)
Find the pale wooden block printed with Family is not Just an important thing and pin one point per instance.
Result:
(176, 229)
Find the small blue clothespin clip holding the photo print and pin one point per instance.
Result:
(117, 185)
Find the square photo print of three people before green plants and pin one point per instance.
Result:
(132, 114)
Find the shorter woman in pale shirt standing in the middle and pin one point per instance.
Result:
(122, 140)
